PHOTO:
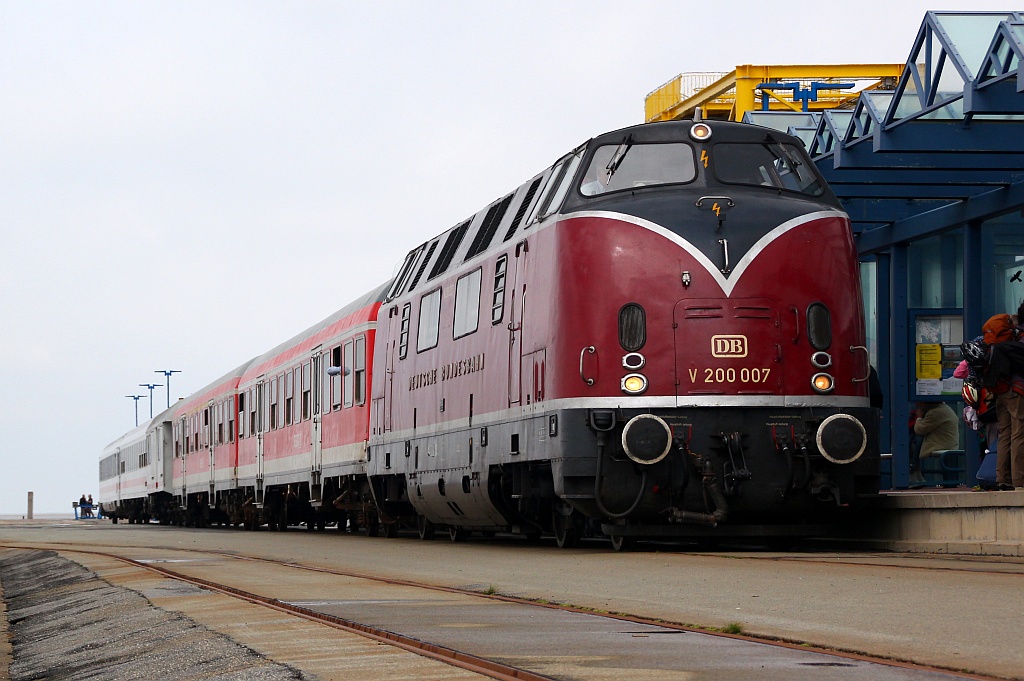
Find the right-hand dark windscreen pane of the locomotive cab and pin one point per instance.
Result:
(766, 164)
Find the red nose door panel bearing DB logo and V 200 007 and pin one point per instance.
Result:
(728, 348)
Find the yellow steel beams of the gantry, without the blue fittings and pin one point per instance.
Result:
(736, 94)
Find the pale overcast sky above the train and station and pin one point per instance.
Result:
(186, 185)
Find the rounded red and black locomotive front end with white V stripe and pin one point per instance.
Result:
(710, 287)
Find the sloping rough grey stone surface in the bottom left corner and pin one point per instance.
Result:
(67, 623)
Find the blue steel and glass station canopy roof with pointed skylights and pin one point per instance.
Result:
(943, 149)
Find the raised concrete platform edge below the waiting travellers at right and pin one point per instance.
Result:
(952, 521)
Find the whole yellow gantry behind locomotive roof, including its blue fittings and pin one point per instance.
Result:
(750, 88)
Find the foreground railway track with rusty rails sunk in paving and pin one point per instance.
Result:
(432, 641)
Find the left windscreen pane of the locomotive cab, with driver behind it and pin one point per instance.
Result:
(616, 167)
